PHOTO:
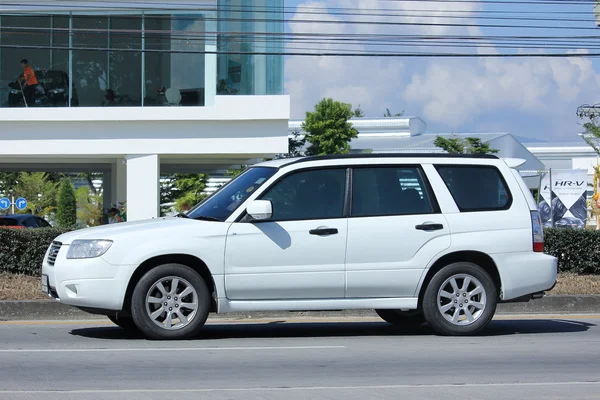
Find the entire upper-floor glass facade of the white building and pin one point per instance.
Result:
(143, 58)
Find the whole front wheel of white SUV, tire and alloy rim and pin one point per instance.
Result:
(170, 301)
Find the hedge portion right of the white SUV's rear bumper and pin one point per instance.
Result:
(577, 250)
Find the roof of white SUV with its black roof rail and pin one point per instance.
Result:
(283, 162)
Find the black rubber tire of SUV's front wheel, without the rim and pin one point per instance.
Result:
(141, 316)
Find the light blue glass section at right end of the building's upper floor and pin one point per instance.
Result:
(250, 43)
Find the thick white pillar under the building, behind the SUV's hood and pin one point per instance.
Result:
(143, 187)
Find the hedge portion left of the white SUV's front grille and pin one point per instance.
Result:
(22, 251)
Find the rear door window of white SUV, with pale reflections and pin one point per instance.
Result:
(389, 191)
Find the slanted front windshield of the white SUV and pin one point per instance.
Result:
(228, 198)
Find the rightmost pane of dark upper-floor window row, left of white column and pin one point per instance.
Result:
(174, 62)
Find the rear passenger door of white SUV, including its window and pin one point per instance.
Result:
(395, 229)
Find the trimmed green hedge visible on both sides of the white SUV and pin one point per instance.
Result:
(22, 250)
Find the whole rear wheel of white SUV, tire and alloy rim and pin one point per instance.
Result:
(460, 300)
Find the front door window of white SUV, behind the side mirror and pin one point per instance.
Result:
(315, 194)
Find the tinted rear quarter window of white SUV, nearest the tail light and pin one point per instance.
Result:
(476, 187)
